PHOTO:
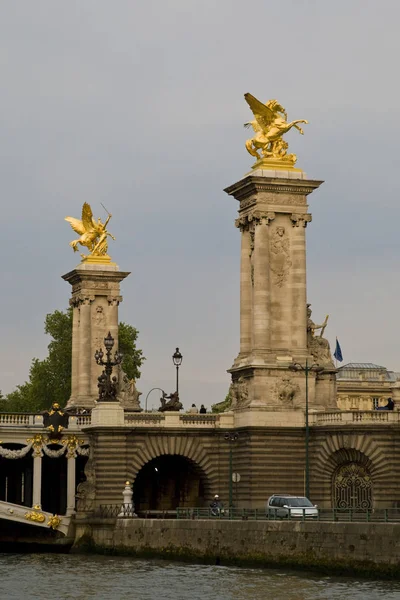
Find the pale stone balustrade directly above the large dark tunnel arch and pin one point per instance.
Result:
(176, 419)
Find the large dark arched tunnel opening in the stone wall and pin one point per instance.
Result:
(169, 481)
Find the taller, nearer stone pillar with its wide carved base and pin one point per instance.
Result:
(273, 215)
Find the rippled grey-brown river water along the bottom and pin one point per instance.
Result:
(74, 577)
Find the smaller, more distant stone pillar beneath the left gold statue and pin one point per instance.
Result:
(95, 300)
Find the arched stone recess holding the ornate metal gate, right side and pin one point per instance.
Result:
(352, 486)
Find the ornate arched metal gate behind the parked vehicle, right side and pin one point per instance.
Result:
(352, 487)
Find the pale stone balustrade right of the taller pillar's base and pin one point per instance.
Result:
(359, 417)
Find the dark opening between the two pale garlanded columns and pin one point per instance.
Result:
(54, 483)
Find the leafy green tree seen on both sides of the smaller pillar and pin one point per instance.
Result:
(50, 379)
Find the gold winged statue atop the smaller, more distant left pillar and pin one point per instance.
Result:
(93, 234)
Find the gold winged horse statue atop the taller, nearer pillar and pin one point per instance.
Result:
(269, 125)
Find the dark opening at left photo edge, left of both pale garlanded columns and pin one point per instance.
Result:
(16, 477)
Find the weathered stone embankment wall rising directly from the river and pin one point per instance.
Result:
(369, 548)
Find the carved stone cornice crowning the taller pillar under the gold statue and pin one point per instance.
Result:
(251, 185)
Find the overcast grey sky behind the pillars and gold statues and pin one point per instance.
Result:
(139, 105)
